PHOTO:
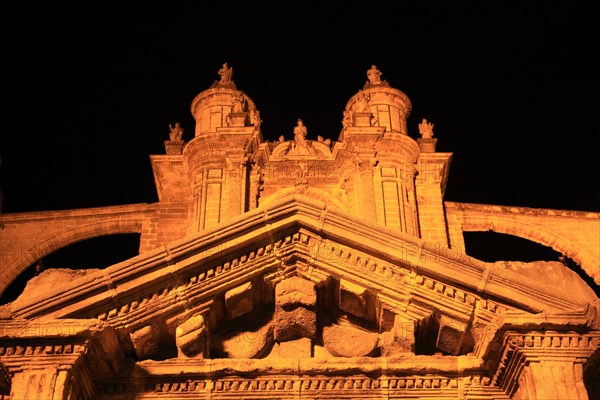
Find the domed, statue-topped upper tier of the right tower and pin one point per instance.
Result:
(378, 104)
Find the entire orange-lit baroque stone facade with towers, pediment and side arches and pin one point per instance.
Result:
(301, 269)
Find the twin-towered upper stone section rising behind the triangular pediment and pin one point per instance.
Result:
(374, 170)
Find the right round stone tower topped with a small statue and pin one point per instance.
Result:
(386, 157)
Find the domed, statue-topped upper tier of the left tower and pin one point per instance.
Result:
(223, 105)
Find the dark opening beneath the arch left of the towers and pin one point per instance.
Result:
(99, 252)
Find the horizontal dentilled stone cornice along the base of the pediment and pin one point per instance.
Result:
(365, 378)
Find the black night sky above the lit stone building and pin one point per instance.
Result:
(89, 93)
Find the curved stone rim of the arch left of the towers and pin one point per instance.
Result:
(64, 239)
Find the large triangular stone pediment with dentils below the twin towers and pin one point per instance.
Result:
(368, 279)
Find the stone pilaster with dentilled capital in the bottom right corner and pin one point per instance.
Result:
(545, 365)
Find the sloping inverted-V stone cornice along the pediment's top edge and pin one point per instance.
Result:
(262, 225)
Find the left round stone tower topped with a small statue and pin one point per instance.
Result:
(217, 158)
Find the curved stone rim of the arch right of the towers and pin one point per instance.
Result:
(529, 232)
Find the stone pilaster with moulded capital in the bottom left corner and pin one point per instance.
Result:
(58, 359)
